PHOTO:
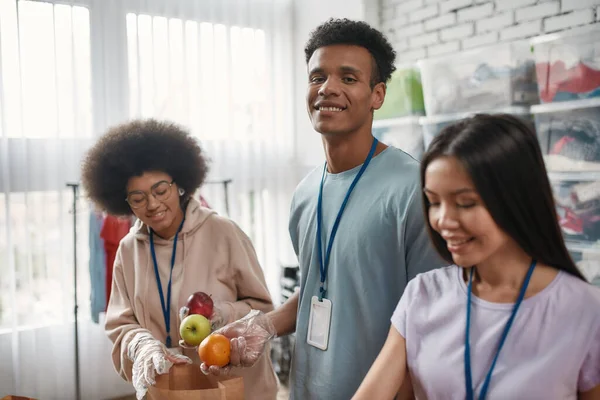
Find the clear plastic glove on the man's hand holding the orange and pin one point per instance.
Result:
(248, 337)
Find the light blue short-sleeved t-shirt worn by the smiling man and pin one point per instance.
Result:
(380, 245)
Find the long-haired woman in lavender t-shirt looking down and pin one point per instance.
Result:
(512, 318)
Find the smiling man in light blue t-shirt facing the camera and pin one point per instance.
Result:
(356, 224)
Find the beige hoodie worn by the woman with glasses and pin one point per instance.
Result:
(213, 256)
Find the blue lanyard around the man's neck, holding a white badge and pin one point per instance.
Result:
(324, 264)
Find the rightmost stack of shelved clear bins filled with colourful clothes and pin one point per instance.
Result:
(568, 127)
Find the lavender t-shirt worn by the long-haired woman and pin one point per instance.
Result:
(552, 350)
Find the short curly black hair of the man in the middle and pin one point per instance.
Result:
(357, 33)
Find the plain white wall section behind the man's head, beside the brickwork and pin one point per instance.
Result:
(308, 14)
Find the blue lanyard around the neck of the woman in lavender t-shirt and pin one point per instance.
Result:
(488, 378)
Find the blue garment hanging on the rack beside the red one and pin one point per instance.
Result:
(97, 267)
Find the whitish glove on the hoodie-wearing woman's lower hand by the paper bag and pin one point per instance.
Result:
(150, 357)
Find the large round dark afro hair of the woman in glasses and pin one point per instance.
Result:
(136, 147)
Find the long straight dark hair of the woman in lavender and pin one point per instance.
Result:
(502, 156)
